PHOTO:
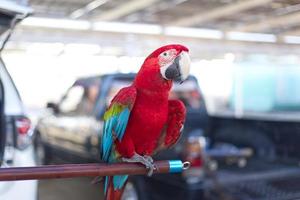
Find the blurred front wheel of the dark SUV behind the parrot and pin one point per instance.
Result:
(42, 153)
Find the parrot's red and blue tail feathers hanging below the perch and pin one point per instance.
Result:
(111, 192)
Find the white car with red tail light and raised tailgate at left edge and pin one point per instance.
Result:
(16, 149)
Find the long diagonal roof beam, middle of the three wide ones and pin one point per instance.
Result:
(220, 12)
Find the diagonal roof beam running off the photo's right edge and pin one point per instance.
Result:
(271, 22)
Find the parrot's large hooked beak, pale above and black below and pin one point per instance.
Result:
(179, 69)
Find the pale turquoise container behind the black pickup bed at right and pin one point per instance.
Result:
(266, 88)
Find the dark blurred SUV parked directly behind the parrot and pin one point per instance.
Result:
(71, 132)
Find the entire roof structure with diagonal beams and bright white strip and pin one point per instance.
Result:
(214, 26)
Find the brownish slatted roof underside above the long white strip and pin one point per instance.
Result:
(268, 16)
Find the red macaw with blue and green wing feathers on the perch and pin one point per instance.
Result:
(140, 119)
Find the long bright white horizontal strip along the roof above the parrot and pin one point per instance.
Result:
(197, 45)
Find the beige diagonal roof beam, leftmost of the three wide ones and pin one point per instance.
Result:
(124, 9)
